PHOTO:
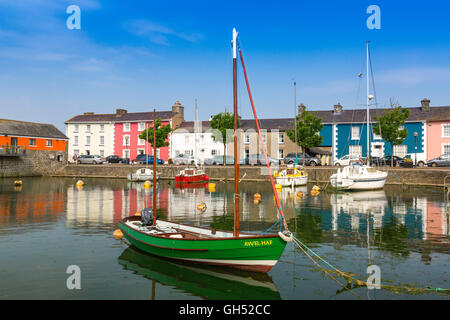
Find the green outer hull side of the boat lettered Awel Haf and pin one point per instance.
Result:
(254, 253)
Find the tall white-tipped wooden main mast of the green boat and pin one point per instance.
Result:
(236, 161)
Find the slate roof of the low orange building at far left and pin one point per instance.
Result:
(30, 129)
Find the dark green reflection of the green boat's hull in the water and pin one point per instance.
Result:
(202, 281)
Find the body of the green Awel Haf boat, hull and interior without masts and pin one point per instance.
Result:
(204, 245)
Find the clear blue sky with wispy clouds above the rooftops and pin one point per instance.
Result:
(145, 54)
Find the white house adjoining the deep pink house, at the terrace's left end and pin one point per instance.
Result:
(90, 135)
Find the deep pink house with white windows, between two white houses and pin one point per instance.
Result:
(128, 126)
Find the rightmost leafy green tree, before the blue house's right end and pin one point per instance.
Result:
(389, 125)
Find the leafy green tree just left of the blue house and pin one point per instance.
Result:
(308, 129)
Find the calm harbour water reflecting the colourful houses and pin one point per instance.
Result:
(49, 224)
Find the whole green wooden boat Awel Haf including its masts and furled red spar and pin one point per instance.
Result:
(206, 245)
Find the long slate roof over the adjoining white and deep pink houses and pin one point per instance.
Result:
(126, 117)
